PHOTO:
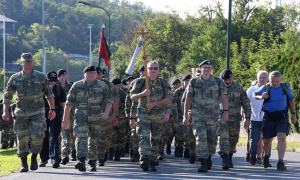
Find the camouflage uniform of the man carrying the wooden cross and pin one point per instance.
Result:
(149, 124)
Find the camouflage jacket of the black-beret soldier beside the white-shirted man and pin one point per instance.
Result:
(237, 98)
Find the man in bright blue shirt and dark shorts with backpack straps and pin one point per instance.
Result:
(277, 102)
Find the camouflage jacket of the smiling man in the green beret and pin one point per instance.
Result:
(206, 97)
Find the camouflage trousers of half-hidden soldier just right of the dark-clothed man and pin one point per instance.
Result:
(67, 139)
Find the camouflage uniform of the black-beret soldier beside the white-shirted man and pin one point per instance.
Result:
(229, 131)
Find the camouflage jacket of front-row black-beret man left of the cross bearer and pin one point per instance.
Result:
(89, 99)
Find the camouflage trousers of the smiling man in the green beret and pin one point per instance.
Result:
(205, 130)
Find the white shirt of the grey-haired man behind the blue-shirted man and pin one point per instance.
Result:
(256, 105)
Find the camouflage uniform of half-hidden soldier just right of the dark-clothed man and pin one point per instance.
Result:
(67, 135)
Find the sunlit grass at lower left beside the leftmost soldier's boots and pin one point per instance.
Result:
(10, 162)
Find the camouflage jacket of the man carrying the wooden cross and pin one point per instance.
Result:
(160, 89)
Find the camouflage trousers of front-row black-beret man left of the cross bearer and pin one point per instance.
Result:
(87, 137)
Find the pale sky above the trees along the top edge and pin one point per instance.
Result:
(191, 6)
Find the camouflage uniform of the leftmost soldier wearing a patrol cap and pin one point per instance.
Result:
(30, 118)
